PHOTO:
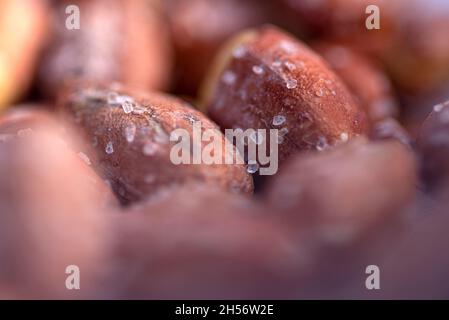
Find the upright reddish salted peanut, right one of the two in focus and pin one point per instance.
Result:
(266, 79)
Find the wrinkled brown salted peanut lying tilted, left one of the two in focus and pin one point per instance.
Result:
(133, 173)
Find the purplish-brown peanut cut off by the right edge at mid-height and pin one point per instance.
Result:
(434, 148)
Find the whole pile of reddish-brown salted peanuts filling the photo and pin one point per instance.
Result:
(86, 177)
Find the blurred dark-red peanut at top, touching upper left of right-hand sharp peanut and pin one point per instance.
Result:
(199, 28)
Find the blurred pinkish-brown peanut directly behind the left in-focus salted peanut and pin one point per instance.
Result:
(117, 40)
